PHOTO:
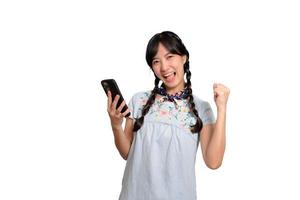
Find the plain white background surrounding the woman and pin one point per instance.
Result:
(56, 141)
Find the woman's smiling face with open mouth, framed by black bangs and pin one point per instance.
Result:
(168, 67)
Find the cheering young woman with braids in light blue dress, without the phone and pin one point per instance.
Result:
(165, 127)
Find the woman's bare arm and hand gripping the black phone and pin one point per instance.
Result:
(123, 138)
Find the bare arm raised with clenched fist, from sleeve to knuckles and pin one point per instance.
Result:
(213, 138)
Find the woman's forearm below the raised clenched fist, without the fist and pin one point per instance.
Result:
(216, 146)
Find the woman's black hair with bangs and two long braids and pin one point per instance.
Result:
(175, 46)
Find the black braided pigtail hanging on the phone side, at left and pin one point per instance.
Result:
(139, 121)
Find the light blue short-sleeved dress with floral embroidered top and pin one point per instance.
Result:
(161, 160)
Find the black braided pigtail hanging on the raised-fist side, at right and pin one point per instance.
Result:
(198, 126)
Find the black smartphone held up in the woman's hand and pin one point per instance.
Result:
(111, 85)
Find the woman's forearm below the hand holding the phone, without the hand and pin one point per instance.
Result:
(121, 141)
